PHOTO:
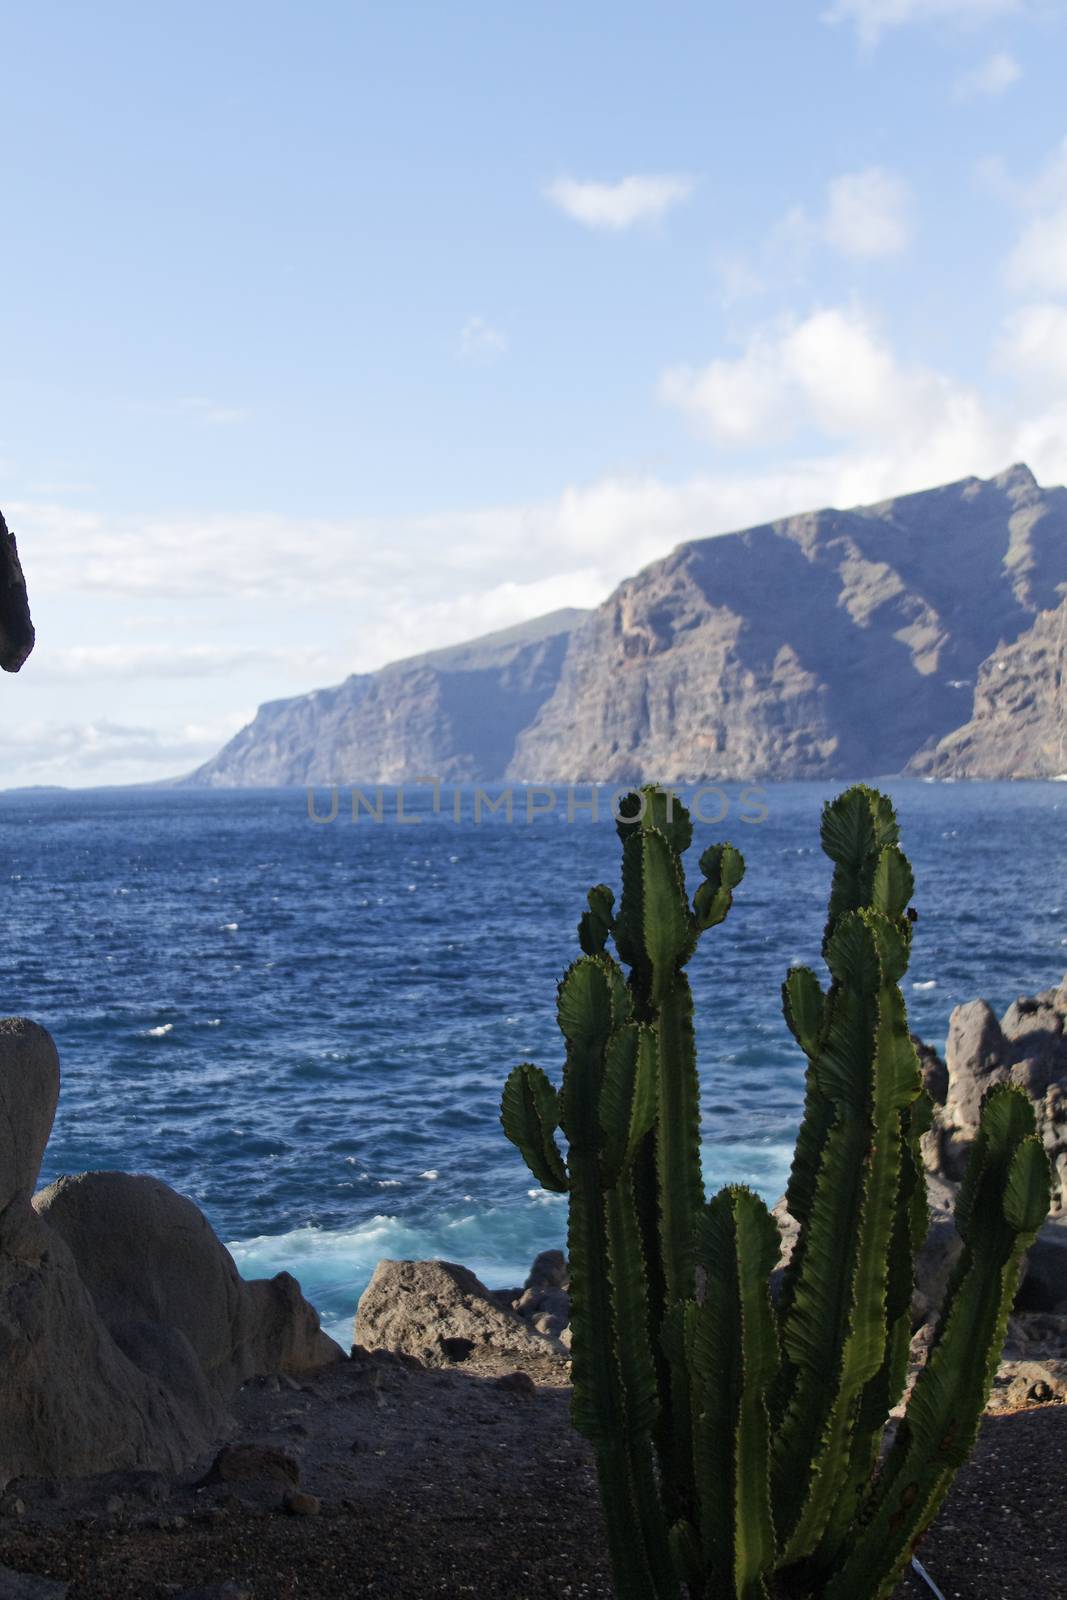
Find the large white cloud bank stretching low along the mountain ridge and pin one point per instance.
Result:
(833, 415)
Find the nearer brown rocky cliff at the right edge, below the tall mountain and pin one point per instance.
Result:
(1020, 722)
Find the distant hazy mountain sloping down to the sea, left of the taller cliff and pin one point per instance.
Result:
(452, 714)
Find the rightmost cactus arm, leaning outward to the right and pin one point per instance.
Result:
(1001, 1209)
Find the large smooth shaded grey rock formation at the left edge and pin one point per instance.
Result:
(124, 1327)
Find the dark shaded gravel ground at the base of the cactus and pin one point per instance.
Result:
(452, 1484)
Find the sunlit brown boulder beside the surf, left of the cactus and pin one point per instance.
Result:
(439, 1313)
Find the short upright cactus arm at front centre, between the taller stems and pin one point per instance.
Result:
(735, 1359)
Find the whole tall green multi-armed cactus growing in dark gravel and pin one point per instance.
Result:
(738, 1436)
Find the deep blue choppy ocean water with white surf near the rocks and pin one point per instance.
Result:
(305, 1026)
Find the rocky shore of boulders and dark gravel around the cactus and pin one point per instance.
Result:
(172, 1431)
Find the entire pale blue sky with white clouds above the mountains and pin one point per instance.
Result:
(337, 332)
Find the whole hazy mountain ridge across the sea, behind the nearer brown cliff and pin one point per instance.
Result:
(823, 646)
